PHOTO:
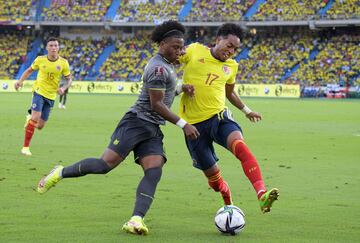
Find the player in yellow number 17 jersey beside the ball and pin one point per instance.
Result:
(212, 72)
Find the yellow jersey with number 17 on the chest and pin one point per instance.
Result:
(209, 77)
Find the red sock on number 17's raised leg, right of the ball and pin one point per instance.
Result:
(250, 166)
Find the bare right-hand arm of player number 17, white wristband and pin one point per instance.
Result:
(236, 101)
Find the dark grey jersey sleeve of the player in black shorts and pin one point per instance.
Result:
(156, 78)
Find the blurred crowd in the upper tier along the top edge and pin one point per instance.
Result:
(159, 10)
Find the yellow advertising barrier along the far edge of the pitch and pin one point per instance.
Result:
(244, 90)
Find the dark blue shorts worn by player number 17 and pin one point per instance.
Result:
(215, 129)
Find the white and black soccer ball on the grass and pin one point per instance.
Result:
(230, 220)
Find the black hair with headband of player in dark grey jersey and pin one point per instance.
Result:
(167, 29)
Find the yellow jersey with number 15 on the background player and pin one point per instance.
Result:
(49, 75)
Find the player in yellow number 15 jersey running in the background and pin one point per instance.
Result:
(51, 68)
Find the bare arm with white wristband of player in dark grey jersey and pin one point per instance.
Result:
(157, 105)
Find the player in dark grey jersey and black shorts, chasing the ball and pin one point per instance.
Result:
(139, 130)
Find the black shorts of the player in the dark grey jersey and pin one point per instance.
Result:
(134, 134)
